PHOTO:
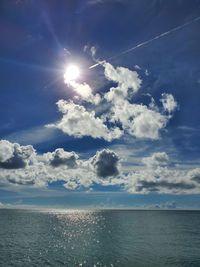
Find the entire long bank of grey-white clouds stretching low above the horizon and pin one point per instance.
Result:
(154, 174)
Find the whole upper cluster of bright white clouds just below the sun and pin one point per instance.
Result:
(139, 120)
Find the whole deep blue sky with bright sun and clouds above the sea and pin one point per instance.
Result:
(122, 134)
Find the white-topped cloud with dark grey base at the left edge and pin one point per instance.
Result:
(14, 156)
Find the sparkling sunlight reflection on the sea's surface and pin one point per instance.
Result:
(78, 233)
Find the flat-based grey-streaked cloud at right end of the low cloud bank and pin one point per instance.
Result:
(157, 176)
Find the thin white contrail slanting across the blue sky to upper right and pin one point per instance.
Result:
(148, 41)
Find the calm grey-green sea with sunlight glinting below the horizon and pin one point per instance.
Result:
(121, 238)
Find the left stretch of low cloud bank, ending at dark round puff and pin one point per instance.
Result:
(59, 165)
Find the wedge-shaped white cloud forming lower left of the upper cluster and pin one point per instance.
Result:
(79, 122)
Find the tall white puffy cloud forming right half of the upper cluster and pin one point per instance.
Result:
(140, 121)
